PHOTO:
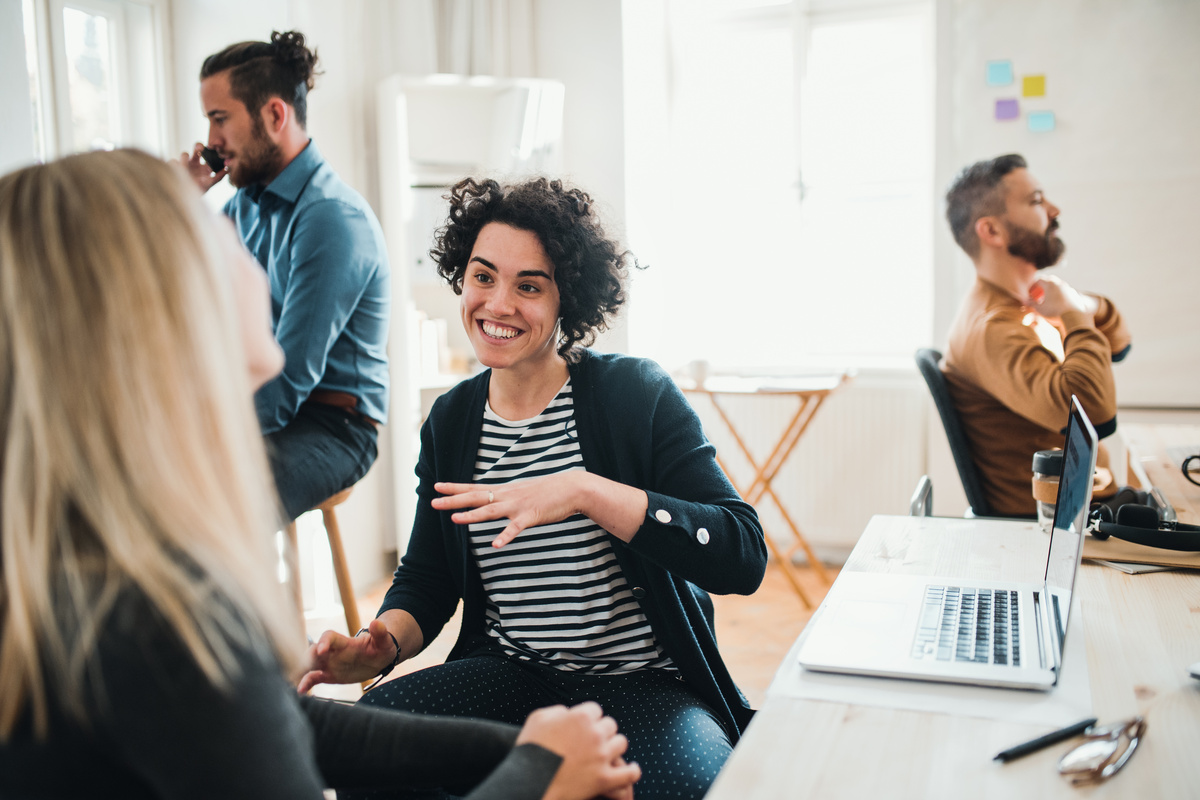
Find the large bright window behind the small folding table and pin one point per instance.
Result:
(791, 224)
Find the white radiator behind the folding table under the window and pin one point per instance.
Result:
(862, 455)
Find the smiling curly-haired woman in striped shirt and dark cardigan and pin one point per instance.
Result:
(571, 501)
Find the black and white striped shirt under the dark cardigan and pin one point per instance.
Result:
(556, 594)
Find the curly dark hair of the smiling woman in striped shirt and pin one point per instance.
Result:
(590, 268)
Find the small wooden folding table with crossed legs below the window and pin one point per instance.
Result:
(811, 392)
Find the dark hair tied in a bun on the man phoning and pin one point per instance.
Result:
(259, 71)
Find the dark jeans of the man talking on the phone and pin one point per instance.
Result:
(322, 452)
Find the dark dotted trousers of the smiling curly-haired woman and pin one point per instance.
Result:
(675, 737)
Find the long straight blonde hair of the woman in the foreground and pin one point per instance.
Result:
(131, 456)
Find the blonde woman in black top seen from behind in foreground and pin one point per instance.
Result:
(143, 645)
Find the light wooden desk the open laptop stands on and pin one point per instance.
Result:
(1142, 633)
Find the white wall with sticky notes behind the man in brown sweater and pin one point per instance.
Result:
(1123, 165)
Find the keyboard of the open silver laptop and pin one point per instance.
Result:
(969, 625)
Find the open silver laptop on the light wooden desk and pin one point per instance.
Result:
(985, 633)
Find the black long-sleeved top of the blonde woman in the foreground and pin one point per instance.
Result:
(159, 730)
